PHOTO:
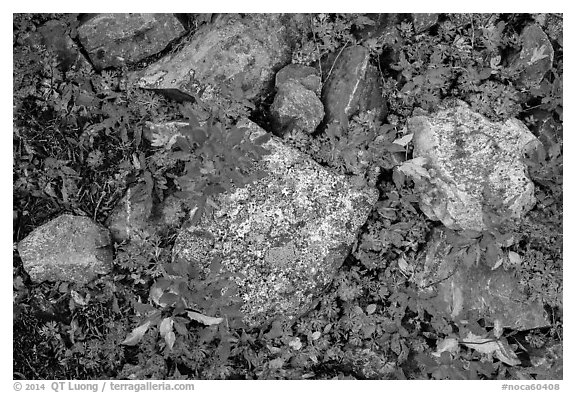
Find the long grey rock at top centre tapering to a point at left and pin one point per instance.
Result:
(233, 53)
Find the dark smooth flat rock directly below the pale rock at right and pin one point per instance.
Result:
(469, 293)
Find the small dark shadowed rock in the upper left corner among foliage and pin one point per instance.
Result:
(55, 38)
